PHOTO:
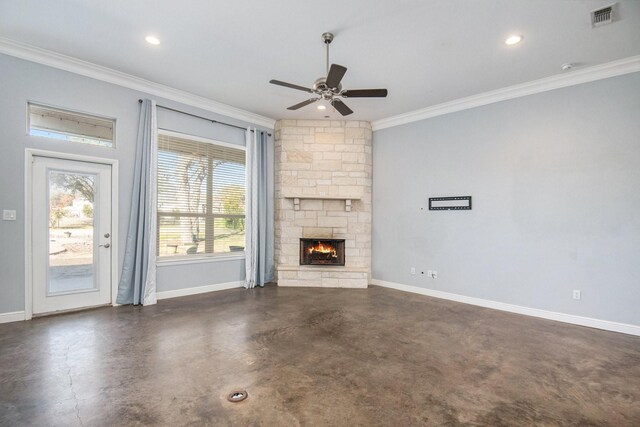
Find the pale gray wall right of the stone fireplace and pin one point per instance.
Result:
(556, 203)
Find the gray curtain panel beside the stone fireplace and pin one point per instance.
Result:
(259, 209)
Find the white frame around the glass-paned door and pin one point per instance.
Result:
(30, 153)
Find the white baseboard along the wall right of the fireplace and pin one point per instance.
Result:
(535, 312)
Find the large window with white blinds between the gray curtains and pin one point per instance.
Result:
(201, 189)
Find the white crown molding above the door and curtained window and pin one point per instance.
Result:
(98, 72)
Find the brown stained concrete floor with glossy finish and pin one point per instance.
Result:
(314, 357)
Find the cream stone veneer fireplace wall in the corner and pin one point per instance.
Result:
(323, 158)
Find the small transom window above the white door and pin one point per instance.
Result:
(70, 126)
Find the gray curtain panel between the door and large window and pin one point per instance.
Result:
(138, 280)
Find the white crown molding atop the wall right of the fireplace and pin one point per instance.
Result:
(597, 72)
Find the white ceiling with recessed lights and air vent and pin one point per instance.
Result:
(424, 52)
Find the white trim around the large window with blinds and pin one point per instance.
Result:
(199, 258)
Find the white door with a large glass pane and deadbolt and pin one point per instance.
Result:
(71, 232)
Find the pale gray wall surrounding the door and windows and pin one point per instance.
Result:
(23, 81)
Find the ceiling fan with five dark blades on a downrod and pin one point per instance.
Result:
(329, 88)
